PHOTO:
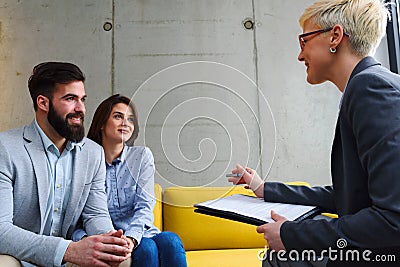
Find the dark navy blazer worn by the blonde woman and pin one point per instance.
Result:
(365, 167)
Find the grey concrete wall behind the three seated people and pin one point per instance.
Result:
(210, 92)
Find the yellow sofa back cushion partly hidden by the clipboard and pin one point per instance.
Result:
(198, 231)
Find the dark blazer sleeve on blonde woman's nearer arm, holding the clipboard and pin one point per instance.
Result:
(372, 111)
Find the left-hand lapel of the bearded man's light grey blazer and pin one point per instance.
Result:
(34, 147)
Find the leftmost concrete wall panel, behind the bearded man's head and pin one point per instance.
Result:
(35, 31)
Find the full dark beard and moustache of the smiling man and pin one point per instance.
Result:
(74, 132)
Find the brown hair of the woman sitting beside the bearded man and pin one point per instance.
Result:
(102, 113)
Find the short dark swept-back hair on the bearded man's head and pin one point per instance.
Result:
(45, 76)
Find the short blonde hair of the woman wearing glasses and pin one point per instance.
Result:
(364, 20)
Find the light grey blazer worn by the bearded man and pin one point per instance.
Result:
(24, 189)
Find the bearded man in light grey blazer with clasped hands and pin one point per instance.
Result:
(52, 178)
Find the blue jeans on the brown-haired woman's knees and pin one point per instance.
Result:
(163, 249)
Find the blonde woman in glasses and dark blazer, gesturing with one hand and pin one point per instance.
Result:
(337, 40)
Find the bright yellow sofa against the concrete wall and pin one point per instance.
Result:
(208, 241)
